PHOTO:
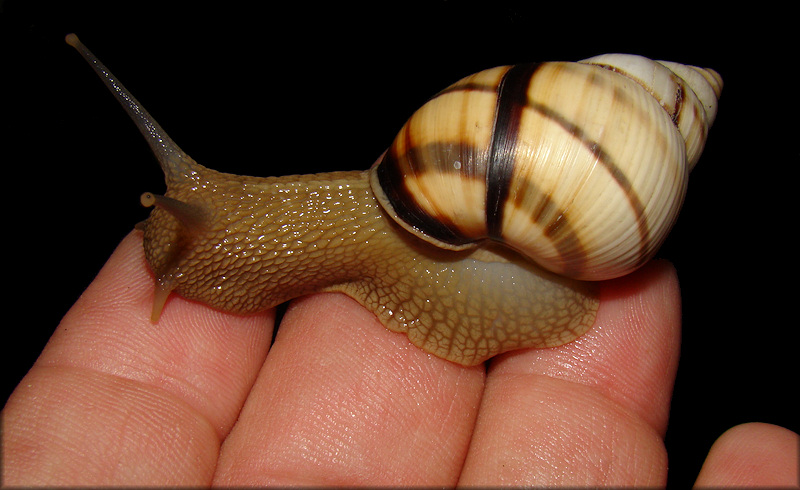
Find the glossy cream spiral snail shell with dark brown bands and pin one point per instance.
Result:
(580, 166)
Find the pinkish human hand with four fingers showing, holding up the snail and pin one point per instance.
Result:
(201, 399)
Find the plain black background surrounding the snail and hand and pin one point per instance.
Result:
(279, 89)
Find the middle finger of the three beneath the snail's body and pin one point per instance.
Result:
(342, 400)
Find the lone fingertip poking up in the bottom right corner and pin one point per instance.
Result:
(752, 454)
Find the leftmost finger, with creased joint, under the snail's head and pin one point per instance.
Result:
(116, 399)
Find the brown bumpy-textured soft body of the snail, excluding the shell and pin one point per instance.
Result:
(244, 244)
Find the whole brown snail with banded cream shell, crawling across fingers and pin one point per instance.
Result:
(484, 227)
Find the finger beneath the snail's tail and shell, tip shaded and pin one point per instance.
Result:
(590, 412)
